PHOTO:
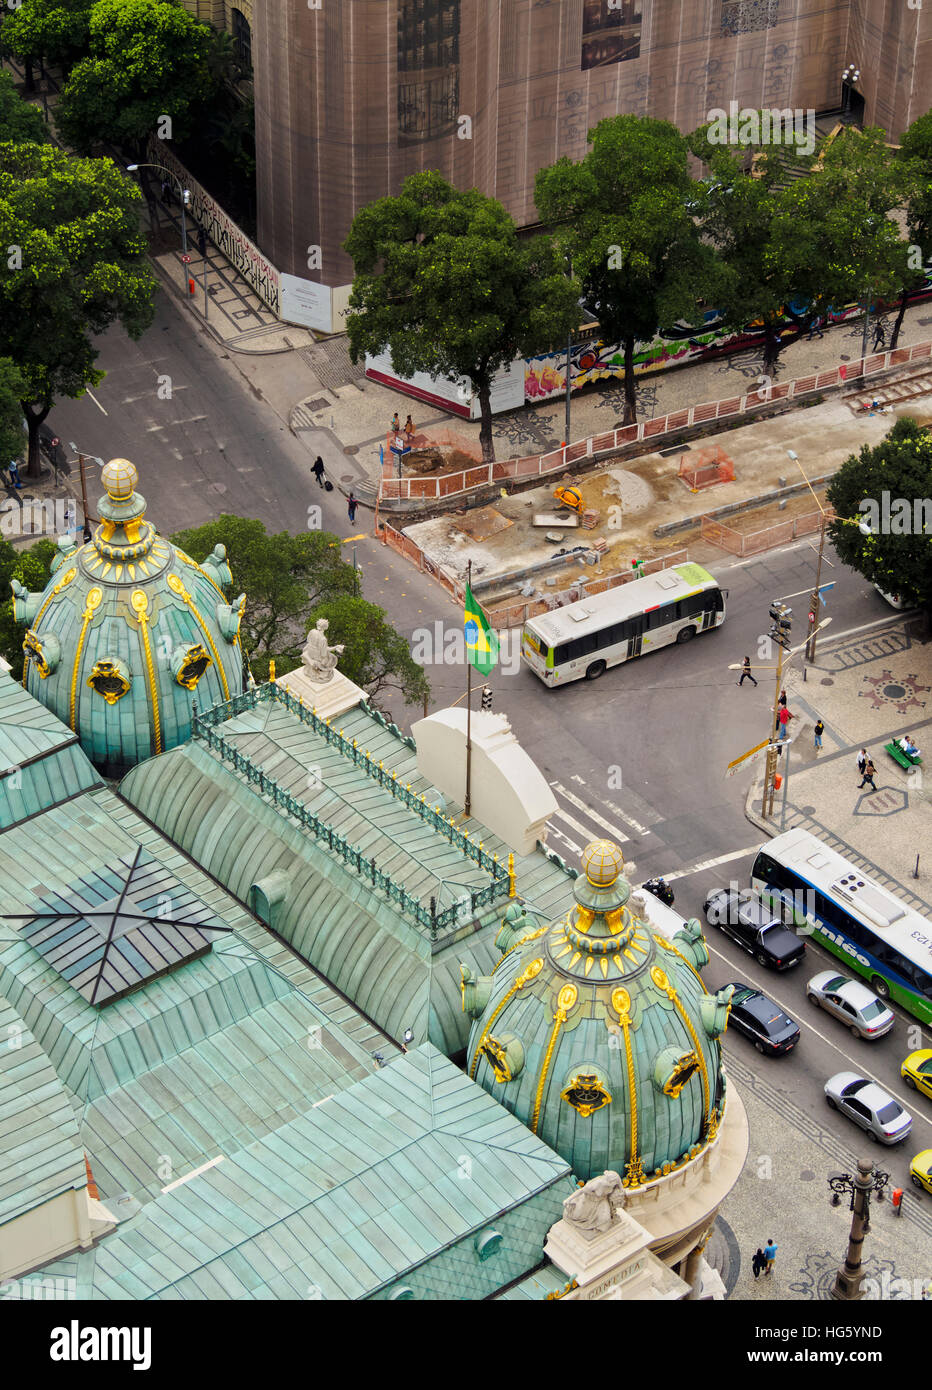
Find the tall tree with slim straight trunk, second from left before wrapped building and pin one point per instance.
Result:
(624, 218)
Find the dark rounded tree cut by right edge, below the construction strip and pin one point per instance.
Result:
(890, 487)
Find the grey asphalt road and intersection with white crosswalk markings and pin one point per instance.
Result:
(638, 755)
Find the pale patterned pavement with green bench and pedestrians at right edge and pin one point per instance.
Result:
(869, 689)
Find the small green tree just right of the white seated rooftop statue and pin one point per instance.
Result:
(376, 657)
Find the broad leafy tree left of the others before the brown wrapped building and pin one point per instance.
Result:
(444, 281)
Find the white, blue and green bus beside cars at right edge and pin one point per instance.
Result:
(867, 926)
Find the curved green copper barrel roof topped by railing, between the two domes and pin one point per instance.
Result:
(370, 945)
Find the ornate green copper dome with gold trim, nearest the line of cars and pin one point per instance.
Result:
(598, 1033)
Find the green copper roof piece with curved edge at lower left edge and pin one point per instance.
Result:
(41, 1153)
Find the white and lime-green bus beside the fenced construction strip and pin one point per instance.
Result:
(585, 639)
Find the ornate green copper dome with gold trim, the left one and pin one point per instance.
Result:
(128, 633)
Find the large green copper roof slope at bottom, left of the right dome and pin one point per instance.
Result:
(385, 1191)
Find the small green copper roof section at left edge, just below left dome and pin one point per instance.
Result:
(41, 760)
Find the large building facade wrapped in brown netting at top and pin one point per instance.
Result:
(352, 98)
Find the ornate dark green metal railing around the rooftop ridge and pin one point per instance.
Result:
(205, 728)
